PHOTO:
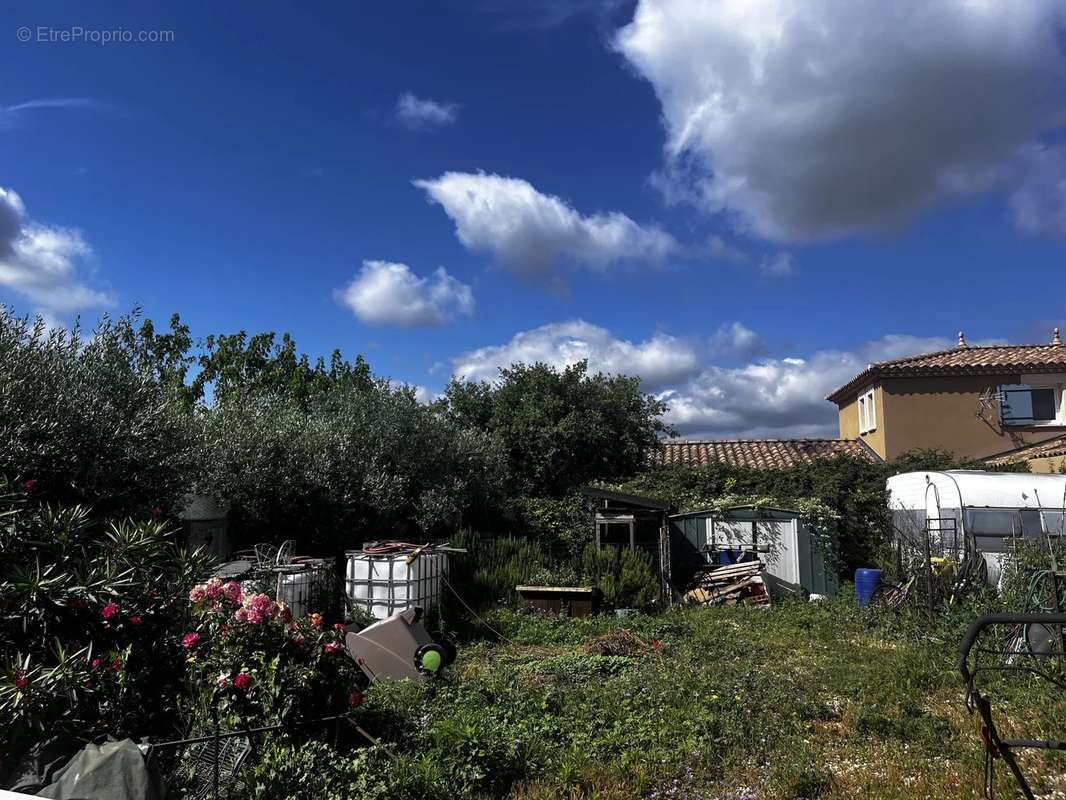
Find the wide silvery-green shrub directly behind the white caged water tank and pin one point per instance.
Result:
(352, 459)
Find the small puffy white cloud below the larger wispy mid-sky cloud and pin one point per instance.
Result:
(389, 294)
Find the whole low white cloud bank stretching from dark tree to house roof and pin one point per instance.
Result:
(764, 397)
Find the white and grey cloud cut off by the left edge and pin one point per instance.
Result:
(41, 262)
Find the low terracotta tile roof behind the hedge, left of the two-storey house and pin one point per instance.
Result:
(760, 454)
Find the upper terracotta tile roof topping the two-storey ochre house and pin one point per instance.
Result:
(963, 361)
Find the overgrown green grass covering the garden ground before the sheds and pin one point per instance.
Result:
(799, 701)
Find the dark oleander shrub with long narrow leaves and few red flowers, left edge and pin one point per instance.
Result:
(88, 625)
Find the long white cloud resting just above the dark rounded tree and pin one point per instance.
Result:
(658, 361)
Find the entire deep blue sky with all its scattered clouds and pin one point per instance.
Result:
(742, 201)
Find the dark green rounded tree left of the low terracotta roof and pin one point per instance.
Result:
(560, 429)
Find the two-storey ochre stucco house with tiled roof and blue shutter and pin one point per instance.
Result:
(999, 404)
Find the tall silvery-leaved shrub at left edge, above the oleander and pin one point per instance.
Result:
(89, 422)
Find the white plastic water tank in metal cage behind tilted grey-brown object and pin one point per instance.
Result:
(384, 585)
